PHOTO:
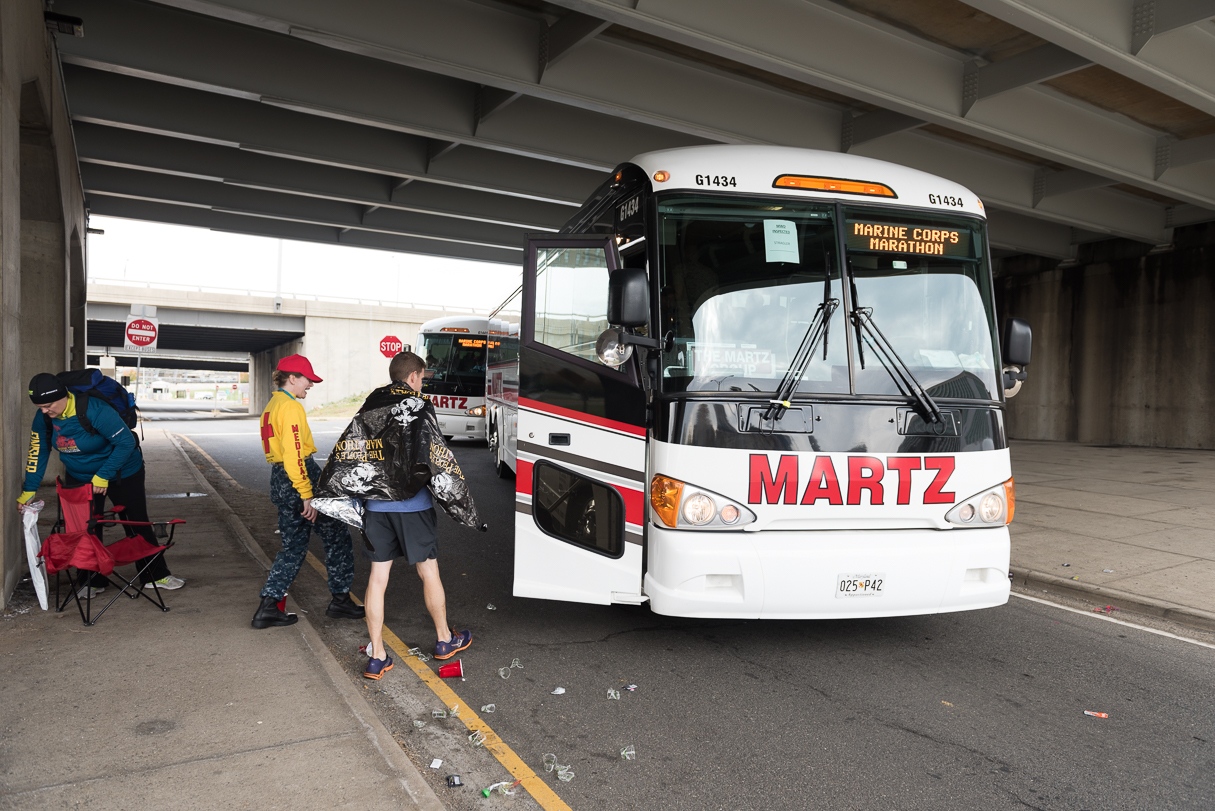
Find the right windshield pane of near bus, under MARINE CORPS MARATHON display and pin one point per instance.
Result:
(925, 284)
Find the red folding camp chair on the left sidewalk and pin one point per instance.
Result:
(76, 544)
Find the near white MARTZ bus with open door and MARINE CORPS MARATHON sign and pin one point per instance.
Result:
(761, 382)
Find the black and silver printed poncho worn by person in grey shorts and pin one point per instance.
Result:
(391, 452)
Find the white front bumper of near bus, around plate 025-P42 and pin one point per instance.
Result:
(807, 575)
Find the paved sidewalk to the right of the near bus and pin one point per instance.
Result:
(1146, 515)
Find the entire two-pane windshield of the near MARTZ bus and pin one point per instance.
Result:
(742, 280)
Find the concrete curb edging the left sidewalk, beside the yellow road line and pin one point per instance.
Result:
(377, 734)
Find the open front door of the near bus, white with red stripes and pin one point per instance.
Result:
(580, 491)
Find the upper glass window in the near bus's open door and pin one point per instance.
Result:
(572, 300)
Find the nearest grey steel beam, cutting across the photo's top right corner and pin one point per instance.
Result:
(1178, 64)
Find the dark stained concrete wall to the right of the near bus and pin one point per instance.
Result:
(1123, 346)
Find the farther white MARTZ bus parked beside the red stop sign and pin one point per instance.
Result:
(454, 348)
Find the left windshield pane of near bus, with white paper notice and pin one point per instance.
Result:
(741, 283)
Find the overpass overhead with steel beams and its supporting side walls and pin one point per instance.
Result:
(455, 128)
